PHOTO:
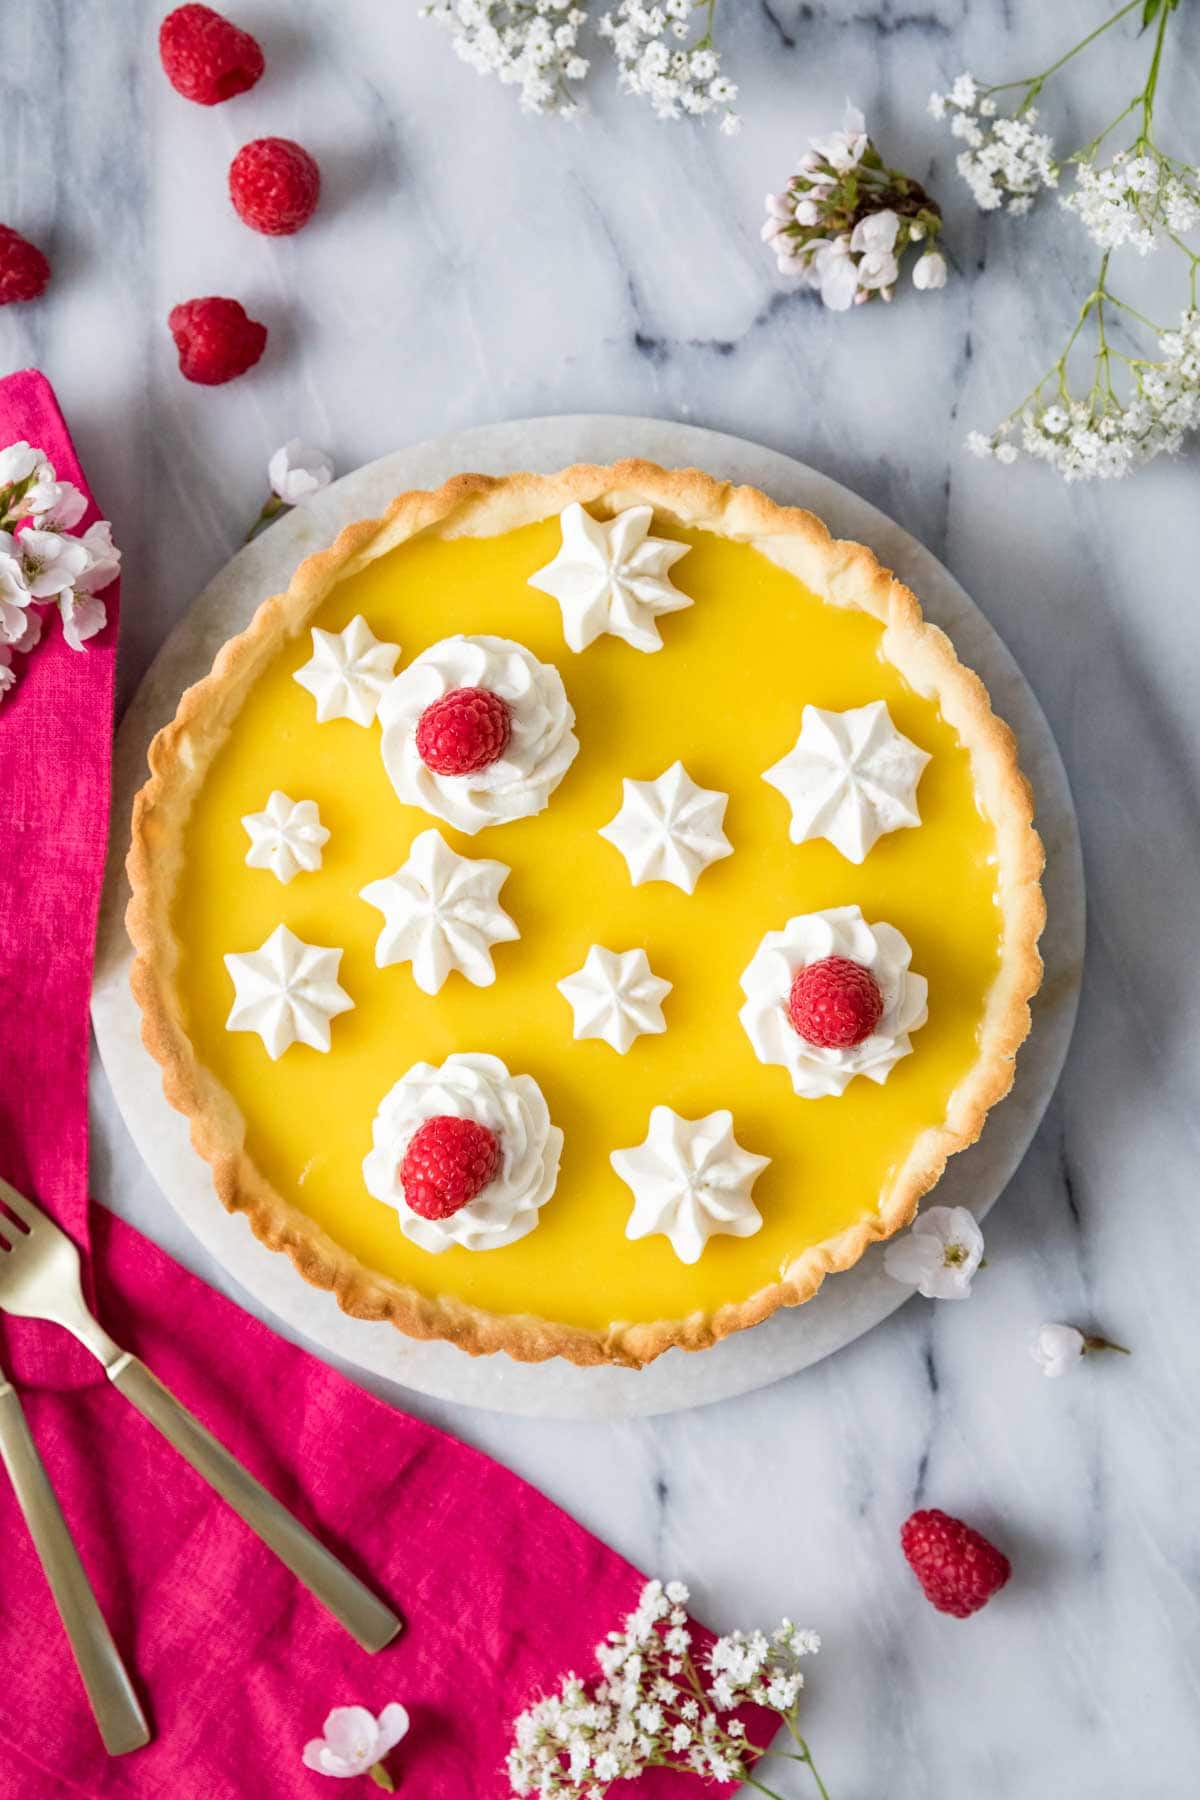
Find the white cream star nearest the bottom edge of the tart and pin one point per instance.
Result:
(692, 1180)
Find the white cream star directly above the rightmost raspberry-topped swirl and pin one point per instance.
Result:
(850, 778)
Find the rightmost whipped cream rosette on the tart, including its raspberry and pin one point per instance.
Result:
(848, 976)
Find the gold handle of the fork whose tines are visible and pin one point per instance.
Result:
(318, 1569)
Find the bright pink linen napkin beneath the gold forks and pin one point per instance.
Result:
(238, 1666)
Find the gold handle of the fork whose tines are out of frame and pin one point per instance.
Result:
(111, 1693)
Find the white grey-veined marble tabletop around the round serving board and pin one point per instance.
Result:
(470, 265)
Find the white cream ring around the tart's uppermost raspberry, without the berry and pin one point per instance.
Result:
(539, 753)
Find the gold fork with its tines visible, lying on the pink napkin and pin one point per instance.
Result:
(40, 1281)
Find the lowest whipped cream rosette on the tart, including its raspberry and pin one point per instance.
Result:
(478, 1122)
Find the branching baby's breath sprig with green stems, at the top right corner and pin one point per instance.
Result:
(1136, 406)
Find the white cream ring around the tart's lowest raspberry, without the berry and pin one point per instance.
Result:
(512, 1106)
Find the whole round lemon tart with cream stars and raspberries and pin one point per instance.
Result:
(584, 912)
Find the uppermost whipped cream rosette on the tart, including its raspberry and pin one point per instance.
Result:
(478, 732)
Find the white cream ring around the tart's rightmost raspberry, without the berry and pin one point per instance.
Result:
(809, 939)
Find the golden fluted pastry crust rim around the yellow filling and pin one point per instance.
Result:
(845, 575)
